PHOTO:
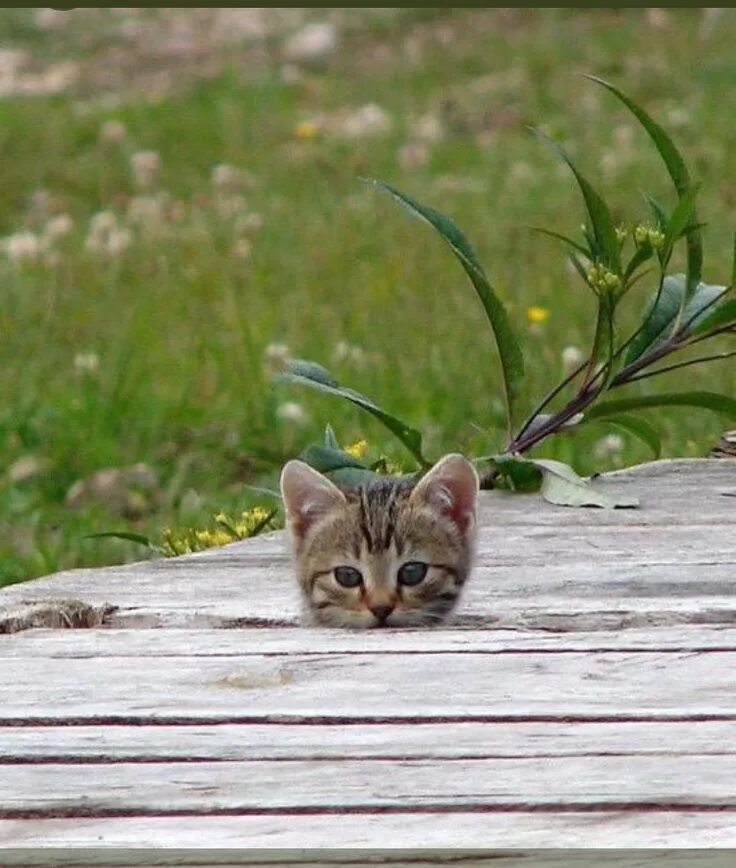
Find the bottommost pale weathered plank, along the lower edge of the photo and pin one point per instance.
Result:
(361, 832)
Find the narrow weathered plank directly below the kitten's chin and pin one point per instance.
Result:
(66, 644)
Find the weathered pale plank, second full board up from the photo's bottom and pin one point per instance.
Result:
(344, 786)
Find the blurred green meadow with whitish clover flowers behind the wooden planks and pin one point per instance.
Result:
(182, 206)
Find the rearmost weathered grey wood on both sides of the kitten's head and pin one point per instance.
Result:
(662, 564)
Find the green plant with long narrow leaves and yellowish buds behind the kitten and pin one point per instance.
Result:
(682, 312)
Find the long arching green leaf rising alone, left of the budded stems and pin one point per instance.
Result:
(509, 349)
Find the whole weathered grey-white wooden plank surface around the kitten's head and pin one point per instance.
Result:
(586, 695)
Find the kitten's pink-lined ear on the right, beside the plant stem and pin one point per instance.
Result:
(451, 487)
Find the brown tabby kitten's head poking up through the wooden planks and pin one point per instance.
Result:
(393, 553)
